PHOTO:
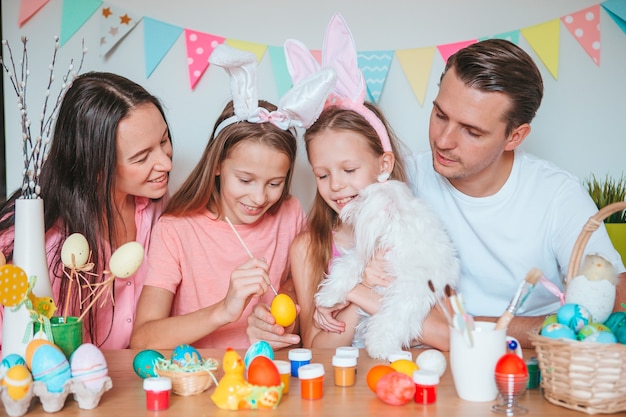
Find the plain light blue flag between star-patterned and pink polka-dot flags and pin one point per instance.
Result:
(158, 38)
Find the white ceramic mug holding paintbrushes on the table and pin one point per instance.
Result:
(473, 366)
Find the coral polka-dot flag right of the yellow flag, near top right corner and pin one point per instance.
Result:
(584, 25)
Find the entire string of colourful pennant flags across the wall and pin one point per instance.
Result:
(160, 36)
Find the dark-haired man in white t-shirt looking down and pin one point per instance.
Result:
(506, 211)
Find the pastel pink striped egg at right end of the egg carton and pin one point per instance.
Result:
(89, 366)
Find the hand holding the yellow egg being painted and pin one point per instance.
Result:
(262, 326)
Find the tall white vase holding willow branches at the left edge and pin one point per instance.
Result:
(29, 253)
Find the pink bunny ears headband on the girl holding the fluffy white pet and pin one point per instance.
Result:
(338, 53)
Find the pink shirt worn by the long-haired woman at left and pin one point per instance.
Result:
(127, 290)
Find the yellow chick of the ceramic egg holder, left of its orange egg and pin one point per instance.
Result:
(233, 387)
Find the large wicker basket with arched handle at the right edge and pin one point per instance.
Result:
(583, 376)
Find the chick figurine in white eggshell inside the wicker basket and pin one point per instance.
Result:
(594, 288)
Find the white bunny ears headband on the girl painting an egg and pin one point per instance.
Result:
(299, 107)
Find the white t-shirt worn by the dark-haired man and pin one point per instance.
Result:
(533, 221)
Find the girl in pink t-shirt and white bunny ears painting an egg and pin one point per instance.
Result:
(202, 282)
